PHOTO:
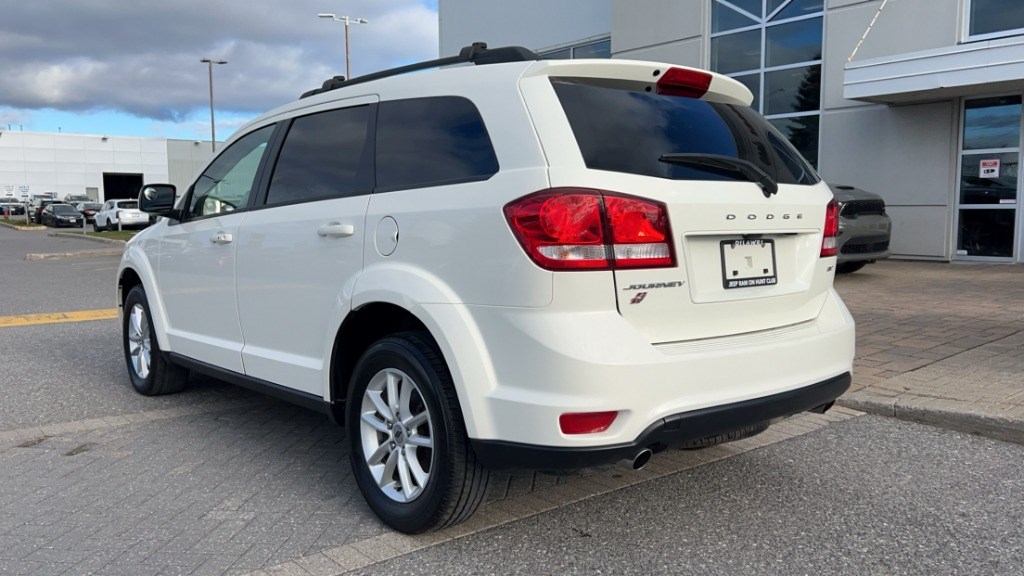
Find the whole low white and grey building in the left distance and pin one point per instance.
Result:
(100, 167)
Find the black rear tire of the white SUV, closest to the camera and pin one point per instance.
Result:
(456, 483)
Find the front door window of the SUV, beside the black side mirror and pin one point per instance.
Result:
(228, 184)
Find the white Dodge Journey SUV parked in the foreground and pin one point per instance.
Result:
(531, 264)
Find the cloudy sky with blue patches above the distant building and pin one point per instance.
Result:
(132, 68)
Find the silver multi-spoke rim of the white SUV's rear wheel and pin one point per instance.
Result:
(397, 433)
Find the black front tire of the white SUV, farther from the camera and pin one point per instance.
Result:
(160, 377)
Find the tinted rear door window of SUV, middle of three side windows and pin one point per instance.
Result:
(325, 155)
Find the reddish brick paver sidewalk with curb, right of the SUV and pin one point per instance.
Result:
(941, 344)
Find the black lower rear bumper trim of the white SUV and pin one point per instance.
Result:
(666, 433)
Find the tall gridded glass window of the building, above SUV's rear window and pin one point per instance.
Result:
(775, 49)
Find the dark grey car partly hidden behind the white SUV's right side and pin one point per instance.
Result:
(865, 229)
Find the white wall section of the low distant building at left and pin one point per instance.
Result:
(40, 162)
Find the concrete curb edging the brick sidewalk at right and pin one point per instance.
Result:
(944, 414)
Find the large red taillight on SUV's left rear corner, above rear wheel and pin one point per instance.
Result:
(580, 229)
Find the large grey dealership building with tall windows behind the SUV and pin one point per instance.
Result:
(925, 110)
